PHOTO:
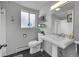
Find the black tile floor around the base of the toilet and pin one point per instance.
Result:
(26, 53)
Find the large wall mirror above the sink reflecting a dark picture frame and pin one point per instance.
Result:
(63, 20)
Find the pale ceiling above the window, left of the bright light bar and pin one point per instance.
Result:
(35, 4)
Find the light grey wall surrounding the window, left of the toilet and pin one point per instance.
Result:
(15, 40)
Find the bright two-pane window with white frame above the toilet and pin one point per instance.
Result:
(27, 20)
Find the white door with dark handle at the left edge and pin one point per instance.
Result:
(2, 32)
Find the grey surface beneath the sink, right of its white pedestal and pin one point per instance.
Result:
(70, 51)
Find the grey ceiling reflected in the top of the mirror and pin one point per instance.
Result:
(62, 14)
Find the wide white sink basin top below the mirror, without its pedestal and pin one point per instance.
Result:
(56, 40)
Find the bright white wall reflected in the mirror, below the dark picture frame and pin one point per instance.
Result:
(65, 27)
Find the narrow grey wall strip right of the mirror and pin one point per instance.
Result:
(76, 20)
